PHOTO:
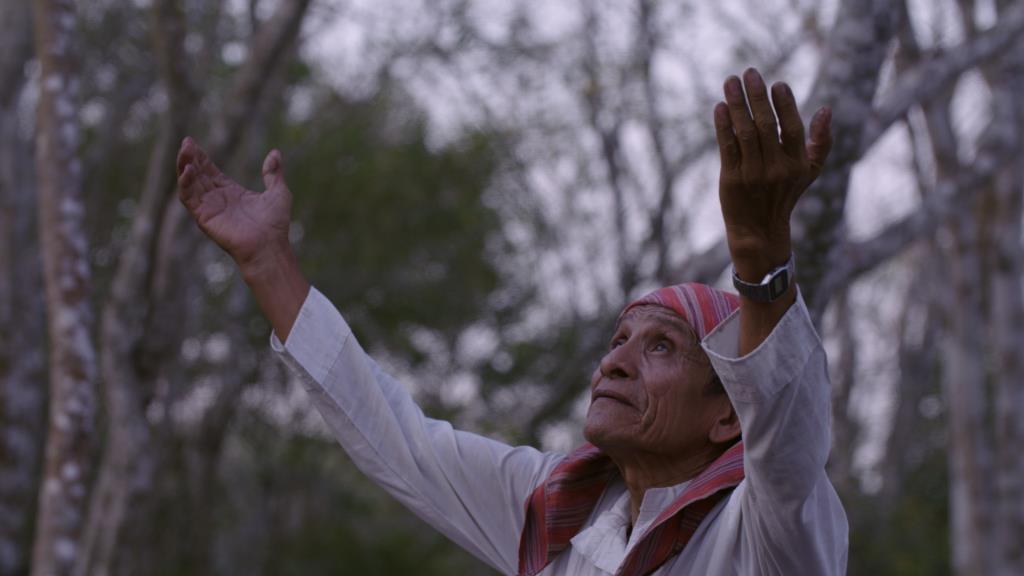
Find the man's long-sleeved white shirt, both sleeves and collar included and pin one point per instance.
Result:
(785, 518)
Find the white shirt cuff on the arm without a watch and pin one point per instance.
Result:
(317, 338)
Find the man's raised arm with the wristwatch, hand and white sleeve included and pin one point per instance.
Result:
(772, 362)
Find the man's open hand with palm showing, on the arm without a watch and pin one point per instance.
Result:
(251, 227)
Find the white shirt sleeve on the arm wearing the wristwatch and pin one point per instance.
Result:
(793, 521)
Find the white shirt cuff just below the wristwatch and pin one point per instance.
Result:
(777, 362)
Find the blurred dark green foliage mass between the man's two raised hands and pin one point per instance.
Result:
(397, 233)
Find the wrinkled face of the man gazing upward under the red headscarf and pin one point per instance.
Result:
(650, 392)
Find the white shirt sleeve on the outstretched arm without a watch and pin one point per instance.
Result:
(471, 488)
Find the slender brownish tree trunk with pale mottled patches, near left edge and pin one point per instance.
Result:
(66, 264)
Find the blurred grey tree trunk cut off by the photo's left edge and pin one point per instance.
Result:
(23, 389)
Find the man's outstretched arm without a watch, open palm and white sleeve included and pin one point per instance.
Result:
(470, 488)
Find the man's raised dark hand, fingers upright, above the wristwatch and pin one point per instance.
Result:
(766, 167)
